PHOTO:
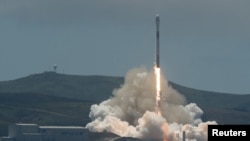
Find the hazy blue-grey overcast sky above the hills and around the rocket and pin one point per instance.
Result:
(205, 44)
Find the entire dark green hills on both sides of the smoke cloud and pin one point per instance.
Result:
(50, 98)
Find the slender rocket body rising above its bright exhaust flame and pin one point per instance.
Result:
(157, 49)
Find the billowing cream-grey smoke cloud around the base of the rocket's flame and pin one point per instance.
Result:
(130, 112)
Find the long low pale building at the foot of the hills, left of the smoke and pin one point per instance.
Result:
(33, 132)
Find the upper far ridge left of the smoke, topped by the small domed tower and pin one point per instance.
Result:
(93, 88)
